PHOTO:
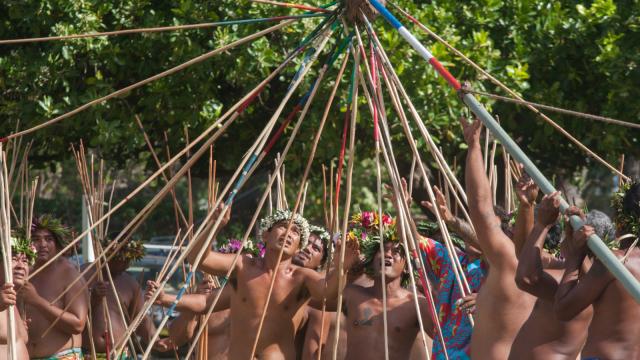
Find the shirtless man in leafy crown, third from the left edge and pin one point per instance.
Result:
(130, 296)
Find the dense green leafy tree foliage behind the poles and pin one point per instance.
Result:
(580, 55)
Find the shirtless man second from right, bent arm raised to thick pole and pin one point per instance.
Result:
(543, 336)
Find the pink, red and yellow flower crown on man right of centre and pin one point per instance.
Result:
(364, 228)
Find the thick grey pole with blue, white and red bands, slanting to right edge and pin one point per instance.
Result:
(594, 242)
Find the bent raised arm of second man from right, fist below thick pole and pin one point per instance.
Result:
(530, 275)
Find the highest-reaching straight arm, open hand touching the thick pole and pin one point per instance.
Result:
(496, 246)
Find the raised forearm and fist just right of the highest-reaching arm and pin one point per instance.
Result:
(527, 192)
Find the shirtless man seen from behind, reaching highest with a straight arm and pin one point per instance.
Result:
(502, 308)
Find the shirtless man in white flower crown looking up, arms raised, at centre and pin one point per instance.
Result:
(251, 278)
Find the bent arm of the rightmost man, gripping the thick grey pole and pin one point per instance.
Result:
(578, 290)
